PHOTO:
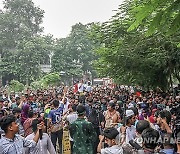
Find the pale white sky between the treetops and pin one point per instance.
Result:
(60, 15)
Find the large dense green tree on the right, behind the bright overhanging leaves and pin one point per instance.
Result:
(130, 57)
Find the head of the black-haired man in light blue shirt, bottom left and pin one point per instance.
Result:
(9, 125)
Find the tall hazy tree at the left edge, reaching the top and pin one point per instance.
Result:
(22, 48)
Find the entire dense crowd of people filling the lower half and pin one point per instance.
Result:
(100, 119)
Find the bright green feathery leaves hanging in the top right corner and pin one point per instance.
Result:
(157, 15)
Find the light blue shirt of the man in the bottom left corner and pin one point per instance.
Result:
(15, 146)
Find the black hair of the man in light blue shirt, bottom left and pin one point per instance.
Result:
(6, 121)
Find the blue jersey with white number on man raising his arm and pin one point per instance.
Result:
(56, 114)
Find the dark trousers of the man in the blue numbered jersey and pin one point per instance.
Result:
(57, 135)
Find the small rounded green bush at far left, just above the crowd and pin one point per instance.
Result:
(16, 86)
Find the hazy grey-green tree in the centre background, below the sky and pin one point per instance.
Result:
(74, 54)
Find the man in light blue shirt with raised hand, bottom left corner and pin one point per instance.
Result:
(11, 142)
